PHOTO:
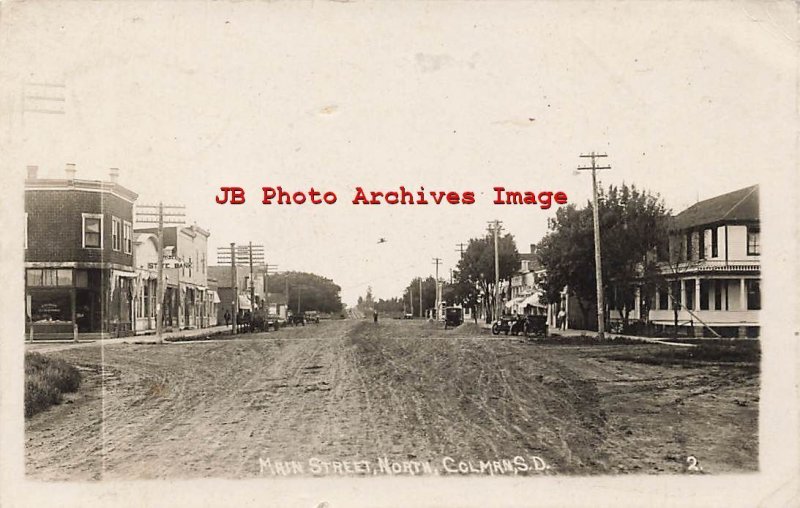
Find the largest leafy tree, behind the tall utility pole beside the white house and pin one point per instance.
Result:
(633, 226)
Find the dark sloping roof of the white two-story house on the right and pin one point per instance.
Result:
(737, 206)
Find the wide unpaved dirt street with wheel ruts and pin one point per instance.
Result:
(352, 391)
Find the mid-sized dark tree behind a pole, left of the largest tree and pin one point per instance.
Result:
(476, 268)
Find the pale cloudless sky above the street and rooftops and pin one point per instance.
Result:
(689, 100)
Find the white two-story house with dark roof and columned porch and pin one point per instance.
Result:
(713, 274)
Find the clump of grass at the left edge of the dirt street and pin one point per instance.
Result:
(46, 379)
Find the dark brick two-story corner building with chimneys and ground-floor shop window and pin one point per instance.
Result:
(78, 253)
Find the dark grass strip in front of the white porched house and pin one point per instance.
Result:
(706, 351)
